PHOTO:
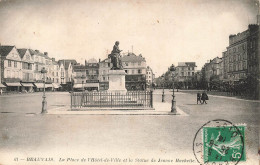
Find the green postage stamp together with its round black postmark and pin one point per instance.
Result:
(220, 142)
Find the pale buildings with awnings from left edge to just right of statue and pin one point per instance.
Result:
(21, 70)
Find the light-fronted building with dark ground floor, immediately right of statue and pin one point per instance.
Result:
(135, 68)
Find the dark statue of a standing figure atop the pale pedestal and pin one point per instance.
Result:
(115, 57)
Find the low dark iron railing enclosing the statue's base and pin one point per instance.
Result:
(132, 99)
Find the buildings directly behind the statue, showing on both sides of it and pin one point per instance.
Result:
(94, 75)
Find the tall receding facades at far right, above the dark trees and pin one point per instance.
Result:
(239, 61)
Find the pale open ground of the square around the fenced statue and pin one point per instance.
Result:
(26, 133)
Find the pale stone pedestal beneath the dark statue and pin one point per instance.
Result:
(117, 81)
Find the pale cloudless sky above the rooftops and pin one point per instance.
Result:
(164, 32)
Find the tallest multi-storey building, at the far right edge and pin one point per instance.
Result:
(242, 57)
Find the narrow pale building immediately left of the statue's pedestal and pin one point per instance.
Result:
(104, 67)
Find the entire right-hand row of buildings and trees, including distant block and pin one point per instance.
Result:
(236, 70)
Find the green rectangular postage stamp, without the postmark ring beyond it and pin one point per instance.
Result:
(224, 144)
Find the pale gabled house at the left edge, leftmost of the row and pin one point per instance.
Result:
(11, 68)
